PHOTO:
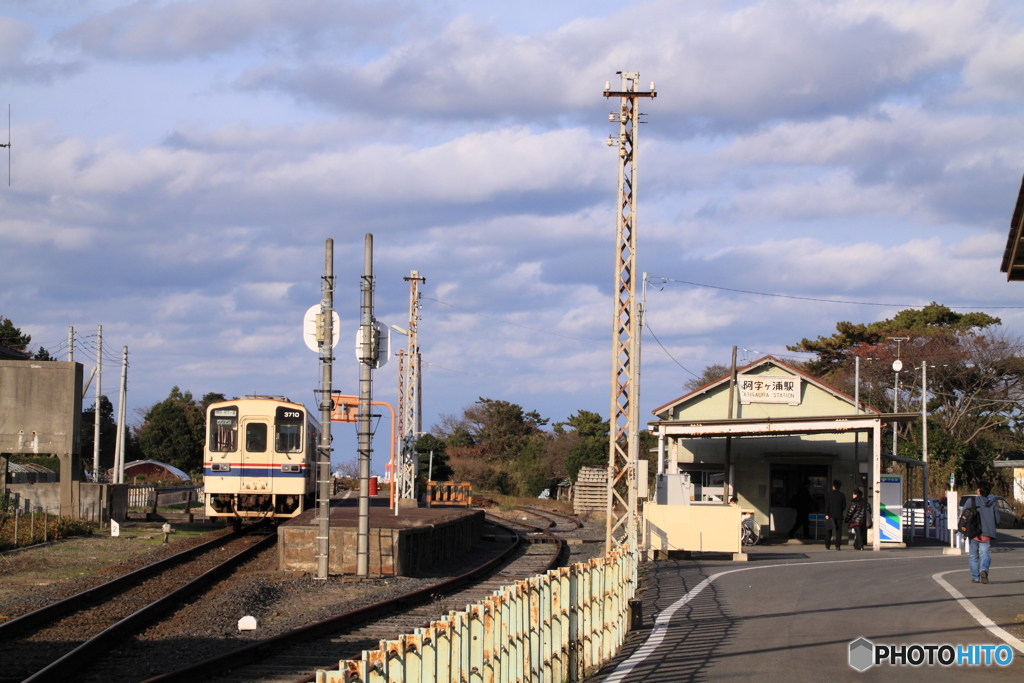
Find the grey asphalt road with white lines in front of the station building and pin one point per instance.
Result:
(791, 614)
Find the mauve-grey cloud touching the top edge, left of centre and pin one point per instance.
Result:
(151, 31)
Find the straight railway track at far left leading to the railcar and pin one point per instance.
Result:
(57, 643)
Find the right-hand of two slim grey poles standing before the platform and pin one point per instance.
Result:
(368, 359)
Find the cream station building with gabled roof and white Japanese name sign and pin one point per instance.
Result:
(787, 429)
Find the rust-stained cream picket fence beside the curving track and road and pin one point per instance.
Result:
(556, 627)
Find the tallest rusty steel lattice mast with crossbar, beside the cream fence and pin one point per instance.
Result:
(624, 438)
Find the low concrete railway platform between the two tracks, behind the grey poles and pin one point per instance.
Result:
(408, 544)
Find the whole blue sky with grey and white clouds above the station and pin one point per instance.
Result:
(177, 167)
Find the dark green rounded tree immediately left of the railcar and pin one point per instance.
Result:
(175, 431)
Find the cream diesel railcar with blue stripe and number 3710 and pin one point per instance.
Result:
(261, 457)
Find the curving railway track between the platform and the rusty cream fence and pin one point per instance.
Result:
(293, 657)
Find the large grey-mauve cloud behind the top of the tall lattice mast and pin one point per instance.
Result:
(719, 69)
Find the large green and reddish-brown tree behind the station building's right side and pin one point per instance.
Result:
(975, 378)
